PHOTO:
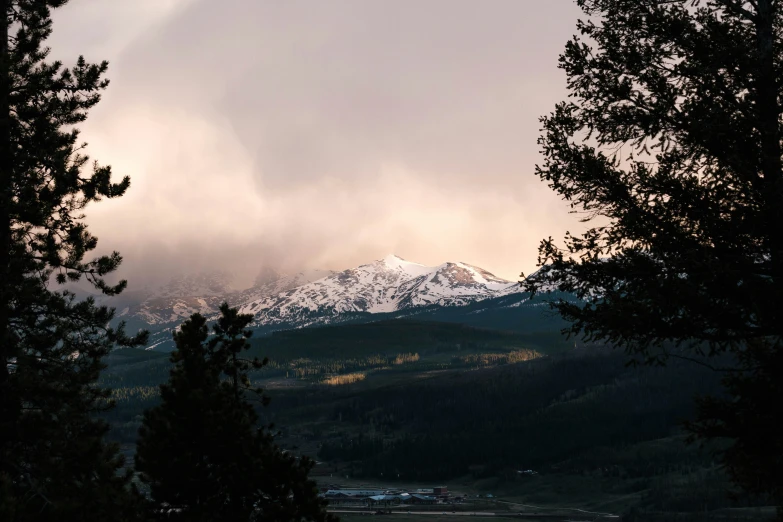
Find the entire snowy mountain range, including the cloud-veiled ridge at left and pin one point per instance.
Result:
(278, 300)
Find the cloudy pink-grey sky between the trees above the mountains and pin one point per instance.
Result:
(322, 133)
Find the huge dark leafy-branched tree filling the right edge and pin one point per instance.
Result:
(670, 145)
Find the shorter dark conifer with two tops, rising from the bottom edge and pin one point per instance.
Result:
(201, 451)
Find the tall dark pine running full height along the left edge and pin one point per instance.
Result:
(54, 464)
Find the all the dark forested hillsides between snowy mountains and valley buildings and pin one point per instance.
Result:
(441, 401)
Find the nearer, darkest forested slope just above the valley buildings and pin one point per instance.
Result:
(536, 415)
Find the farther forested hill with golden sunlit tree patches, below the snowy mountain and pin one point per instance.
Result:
(308, 356)
